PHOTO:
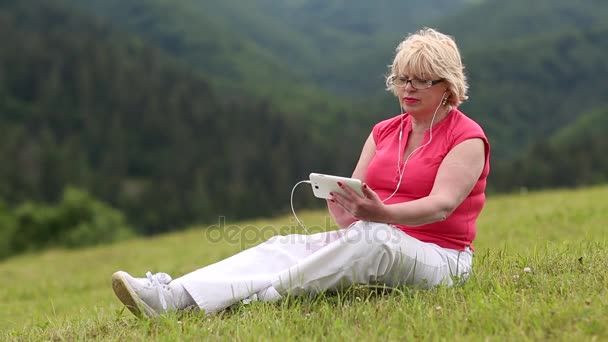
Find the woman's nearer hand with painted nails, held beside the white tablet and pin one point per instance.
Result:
(368, 207)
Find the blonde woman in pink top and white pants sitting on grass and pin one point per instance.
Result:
(424, 174)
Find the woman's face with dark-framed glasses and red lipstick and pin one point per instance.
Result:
(420, 96)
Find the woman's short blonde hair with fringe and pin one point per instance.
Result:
(430, 54)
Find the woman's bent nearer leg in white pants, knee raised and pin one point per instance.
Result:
(373, 253)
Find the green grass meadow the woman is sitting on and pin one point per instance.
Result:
(559, 235)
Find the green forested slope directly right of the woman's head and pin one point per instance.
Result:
(525, 91)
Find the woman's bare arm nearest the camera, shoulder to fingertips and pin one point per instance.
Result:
(456, 177)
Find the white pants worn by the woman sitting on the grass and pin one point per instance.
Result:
(364, 253)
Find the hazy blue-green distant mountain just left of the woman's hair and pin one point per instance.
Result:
(353, 41)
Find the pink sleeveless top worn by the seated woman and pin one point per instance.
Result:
(459, 229)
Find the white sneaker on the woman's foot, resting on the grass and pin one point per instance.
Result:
(153, 295)
